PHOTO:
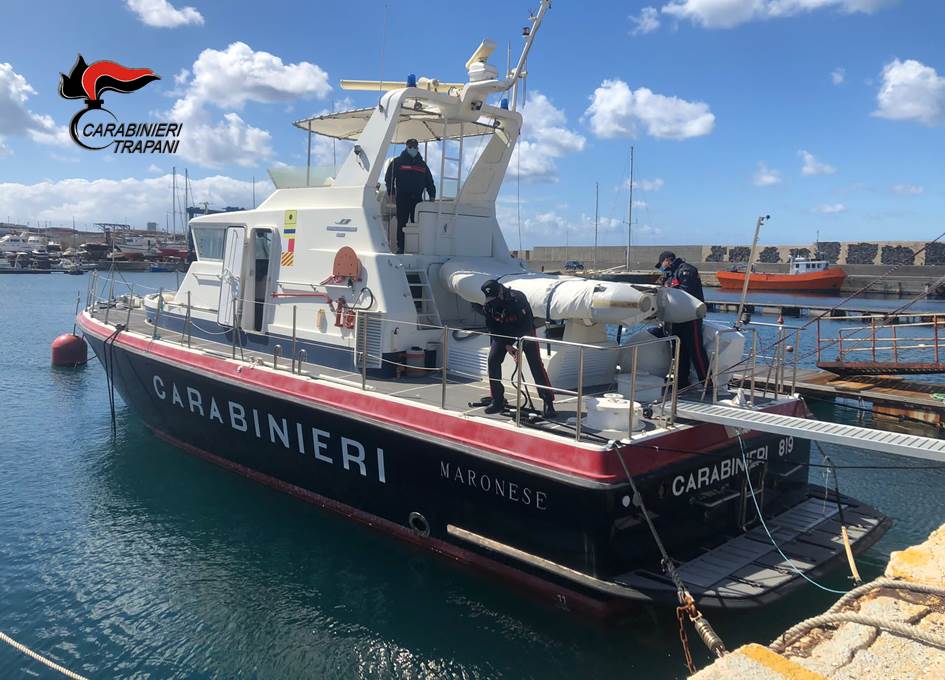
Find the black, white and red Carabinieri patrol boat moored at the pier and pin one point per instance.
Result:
(302, 352)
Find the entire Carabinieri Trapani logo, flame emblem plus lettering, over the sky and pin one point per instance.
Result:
(88, 82)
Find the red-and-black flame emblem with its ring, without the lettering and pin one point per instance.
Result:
(89, 81)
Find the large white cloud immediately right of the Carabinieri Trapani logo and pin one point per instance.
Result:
(229, 79)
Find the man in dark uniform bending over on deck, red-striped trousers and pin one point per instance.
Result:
(508, 316)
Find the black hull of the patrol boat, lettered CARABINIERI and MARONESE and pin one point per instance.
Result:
(436, 493)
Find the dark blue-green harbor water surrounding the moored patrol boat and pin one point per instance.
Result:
(126, 557)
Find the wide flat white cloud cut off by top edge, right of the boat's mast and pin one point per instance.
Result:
(730, 13)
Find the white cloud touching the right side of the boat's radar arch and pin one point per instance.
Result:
(545, 138)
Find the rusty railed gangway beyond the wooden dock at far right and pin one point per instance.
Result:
(882, 345)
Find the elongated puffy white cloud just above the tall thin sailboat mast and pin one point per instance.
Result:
(616, 110)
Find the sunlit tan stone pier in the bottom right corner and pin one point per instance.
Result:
(850, 650)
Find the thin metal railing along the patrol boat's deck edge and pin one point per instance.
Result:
(588, 381)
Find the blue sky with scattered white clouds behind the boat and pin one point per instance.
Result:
(726, 101)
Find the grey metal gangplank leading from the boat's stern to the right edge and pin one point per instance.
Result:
(913, 446)
